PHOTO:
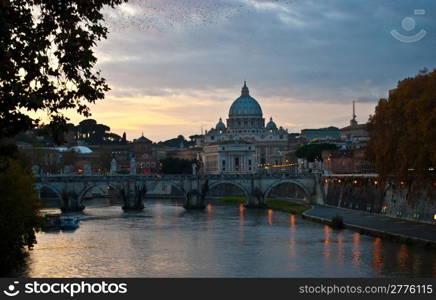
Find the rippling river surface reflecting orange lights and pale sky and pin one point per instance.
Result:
(164, 240)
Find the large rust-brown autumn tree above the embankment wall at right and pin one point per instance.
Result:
(403, 132)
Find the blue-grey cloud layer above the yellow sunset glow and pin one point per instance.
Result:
(314, 49)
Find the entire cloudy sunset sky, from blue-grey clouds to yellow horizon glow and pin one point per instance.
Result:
(175, 66)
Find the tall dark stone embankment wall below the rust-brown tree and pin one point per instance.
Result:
(367, 193)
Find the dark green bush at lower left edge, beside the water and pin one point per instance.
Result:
(19, 217)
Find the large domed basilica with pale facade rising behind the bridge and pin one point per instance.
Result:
(244, 144)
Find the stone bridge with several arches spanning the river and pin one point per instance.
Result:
(71, 189)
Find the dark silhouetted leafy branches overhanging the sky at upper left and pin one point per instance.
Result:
(47, 60)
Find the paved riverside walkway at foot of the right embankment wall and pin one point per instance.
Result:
(377, 225)
